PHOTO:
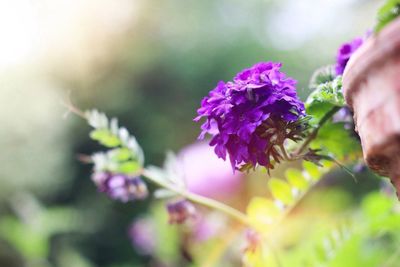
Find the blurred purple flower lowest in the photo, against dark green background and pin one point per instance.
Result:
(142, 235)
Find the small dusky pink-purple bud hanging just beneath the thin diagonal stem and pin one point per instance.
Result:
(180, 211)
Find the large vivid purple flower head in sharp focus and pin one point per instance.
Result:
(237, 113)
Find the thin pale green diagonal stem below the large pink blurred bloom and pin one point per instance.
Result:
(208, 202)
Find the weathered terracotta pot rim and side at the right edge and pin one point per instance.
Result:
(371, 86)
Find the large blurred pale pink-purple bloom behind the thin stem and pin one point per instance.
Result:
(205, 174)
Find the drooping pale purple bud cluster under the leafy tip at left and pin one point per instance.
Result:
(120, 187)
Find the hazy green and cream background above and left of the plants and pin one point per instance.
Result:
(148, 63)
